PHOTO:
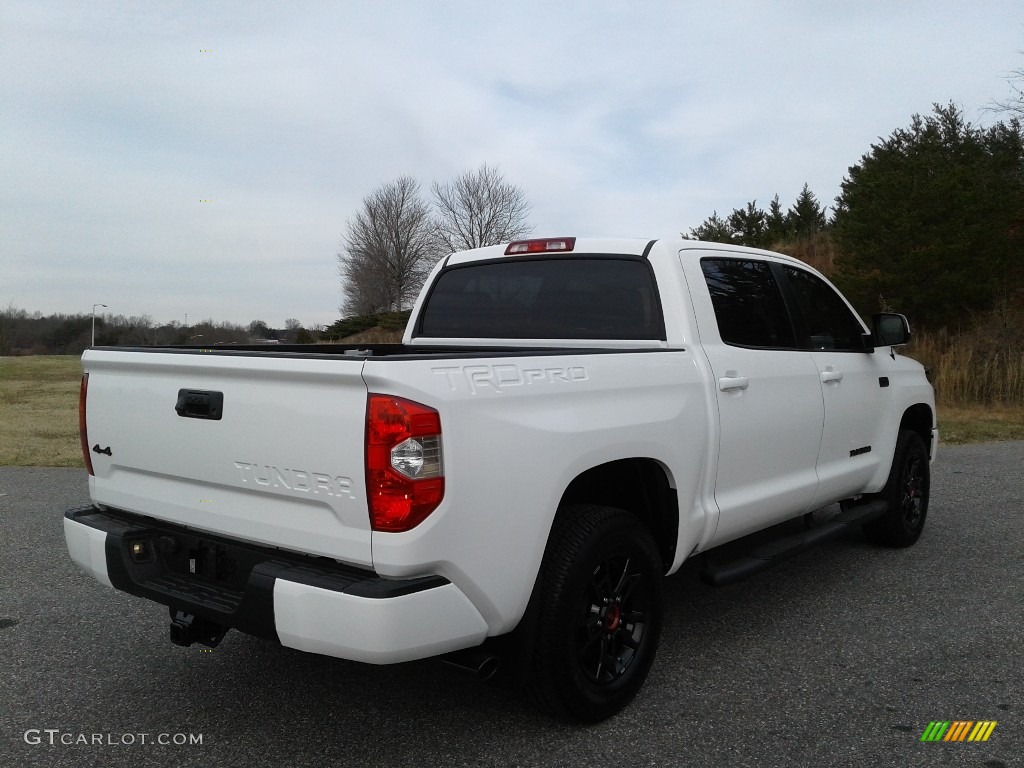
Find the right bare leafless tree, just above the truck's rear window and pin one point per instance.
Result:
(480, 208)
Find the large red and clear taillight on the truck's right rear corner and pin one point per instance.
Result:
(405, 474)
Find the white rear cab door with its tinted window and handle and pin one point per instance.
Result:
(767, 392)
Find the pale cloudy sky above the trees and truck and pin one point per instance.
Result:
(200, 160)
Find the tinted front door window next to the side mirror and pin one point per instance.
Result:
(827, 322)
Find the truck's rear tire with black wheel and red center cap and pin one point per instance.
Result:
(600, 616)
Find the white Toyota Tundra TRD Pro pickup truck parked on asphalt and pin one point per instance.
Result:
(566, 423)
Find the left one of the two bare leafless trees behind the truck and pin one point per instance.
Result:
(388, 250)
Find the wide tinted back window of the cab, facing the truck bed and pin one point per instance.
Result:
(564, 298)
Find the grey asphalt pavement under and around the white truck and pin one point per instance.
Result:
(841, 657)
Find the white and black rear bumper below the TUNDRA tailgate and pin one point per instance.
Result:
(309, 604)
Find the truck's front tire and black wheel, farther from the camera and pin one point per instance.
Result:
(907, 494)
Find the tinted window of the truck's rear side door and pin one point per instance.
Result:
(749, 306)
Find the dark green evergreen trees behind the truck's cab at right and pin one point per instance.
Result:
(929, 223)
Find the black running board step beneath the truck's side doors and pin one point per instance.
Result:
(771, 553)
